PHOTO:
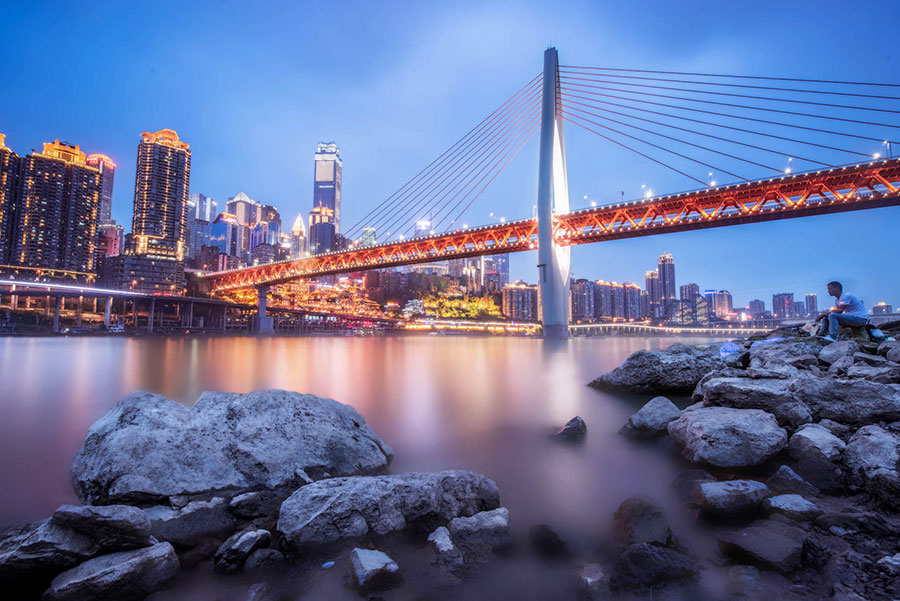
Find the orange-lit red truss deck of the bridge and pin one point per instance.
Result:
(849, 188)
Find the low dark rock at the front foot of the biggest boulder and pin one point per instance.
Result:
(192, 524)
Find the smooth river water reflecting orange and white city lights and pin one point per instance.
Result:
(442, 402)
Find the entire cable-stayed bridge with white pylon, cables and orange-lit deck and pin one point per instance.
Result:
(830, 136)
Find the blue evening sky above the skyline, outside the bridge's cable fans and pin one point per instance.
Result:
(253, 87)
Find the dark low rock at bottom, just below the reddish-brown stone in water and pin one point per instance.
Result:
(644, 565)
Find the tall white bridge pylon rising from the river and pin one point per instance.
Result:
(553, 197)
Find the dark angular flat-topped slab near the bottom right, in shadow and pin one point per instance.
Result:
(767, 543)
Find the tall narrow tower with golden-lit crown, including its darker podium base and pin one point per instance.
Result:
(155, 250)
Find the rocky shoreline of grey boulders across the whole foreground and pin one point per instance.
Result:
(790, 451)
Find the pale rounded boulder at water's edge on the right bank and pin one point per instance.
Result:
(727, 437)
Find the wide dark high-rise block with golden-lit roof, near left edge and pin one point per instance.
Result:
(56, 209)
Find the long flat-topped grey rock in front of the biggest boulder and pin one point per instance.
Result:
(330, 511)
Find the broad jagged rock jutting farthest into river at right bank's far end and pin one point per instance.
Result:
(676, 369)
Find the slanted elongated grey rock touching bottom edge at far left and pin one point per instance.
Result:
(124, 576)
